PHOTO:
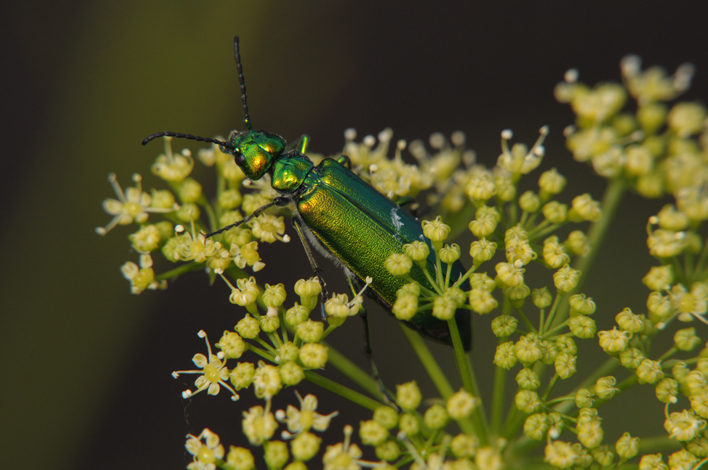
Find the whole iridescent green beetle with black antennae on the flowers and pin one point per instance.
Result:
(343, 217)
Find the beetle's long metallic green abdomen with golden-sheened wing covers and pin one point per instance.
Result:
(361, 227)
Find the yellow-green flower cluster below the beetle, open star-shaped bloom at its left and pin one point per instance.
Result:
(286, 356)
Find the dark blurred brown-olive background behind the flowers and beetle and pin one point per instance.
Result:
(85, 365)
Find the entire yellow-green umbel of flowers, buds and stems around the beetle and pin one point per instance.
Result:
(633, 134)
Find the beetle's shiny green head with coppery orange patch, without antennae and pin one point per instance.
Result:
(254, 151)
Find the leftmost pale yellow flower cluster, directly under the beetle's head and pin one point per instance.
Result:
(188, 214)
